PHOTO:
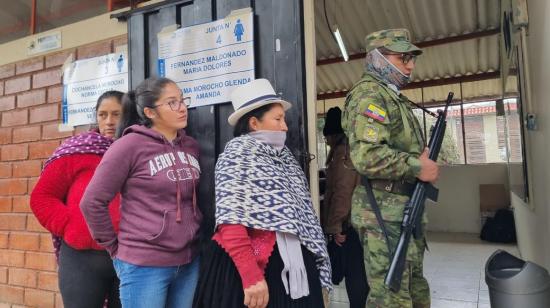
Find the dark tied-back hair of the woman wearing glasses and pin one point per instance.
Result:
(134, 103)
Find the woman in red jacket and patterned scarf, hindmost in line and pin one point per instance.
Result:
(86, 273)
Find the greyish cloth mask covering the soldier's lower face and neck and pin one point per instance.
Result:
(378, 65)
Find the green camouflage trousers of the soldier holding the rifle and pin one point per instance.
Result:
(414, 292)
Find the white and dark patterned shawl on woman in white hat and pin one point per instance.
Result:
(261, 188)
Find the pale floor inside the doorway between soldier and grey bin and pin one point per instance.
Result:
(455, 269)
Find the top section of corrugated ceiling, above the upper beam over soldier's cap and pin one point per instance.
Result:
(426, 19)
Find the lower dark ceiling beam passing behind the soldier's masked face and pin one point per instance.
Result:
(428, 83)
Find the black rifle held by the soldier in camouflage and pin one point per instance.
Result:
(414, 209)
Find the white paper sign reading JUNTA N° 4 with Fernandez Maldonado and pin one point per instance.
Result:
(209, 60)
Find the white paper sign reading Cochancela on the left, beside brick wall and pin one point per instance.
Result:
(85, 80)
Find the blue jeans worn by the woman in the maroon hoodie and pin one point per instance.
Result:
(157, 287)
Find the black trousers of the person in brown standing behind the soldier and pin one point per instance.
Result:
(347, 262)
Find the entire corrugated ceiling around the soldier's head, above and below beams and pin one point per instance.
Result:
(427, 20)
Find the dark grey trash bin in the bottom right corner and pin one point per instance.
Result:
(514, 283)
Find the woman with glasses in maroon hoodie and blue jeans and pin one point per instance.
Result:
(154, 165)
